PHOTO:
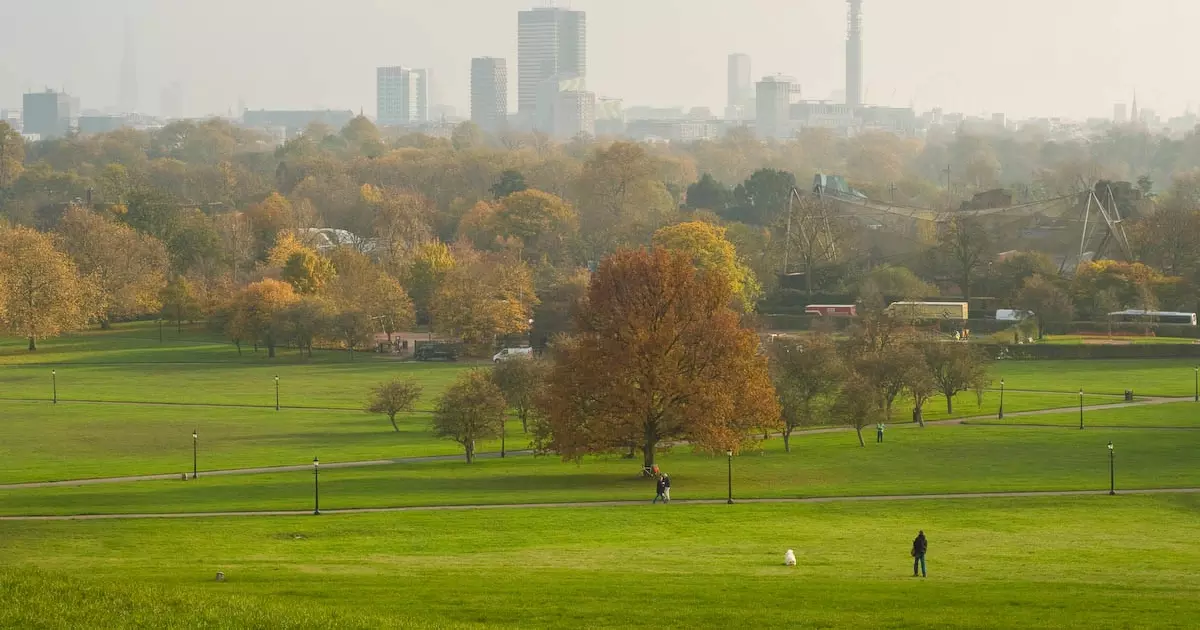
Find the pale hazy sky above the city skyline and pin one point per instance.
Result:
(1024, 58)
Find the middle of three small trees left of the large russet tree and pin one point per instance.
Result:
(472, 410)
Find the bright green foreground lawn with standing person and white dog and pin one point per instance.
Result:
(1096, 562)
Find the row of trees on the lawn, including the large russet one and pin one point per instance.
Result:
(661, 355)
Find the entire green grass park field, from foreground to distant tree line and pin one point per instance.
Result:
(1046, 562)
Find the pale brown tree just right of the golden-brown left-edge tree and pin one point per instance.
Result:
(125, 269)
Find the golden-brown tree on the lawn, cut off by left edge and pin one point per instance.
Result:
(43, 292)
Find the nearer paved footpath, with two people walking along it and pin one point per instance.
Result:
(607, 505)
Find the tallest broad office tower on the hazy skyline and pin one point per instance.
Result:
(551, 43)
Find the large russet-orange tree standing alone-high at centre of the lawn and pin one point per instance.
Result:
(658, 356)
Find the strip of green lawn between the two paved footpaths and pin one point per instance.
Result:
(911, 461)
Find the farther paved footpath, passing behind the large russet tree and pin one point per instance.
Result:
(368, 464)
